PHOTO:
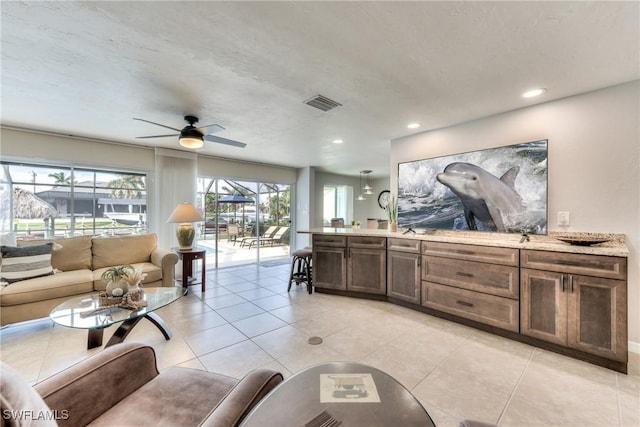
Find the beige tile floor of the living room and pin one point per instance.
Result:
(246, 319)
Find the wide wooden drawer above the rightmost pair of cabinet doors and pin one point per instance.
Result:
(587, 265)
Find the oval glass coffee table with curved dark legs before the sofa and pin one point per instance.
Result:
(73, 314)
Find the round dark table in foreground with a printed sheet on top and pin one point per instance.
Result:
(339, 393)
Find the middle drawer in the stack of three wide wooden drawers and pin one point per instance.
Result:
(493, 279)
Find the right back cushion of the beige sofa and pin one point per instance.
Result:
(111, 251)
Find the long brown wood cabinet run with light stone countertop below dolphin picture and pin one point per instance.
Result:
(536, 289)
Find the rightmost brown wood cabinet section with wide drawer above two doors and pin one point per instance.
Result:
(586, 313)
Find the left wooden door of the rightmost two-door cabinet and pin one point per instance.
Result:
(543, 305)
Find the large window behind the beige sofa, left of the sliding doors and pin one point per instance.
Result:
(40, 201)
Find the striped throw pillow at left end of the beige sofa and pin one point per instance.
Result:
(25, 262)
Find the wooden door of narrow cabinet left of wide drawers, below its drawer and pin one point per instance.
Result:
(403, 276)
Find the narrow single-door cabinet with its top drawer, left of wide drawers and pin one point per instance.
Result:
(403, 269)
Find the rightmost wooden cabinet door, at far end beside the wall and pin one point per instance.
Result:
(597, 316)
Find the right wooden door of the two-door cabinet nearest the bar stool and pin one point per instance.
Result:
(367, 271)
